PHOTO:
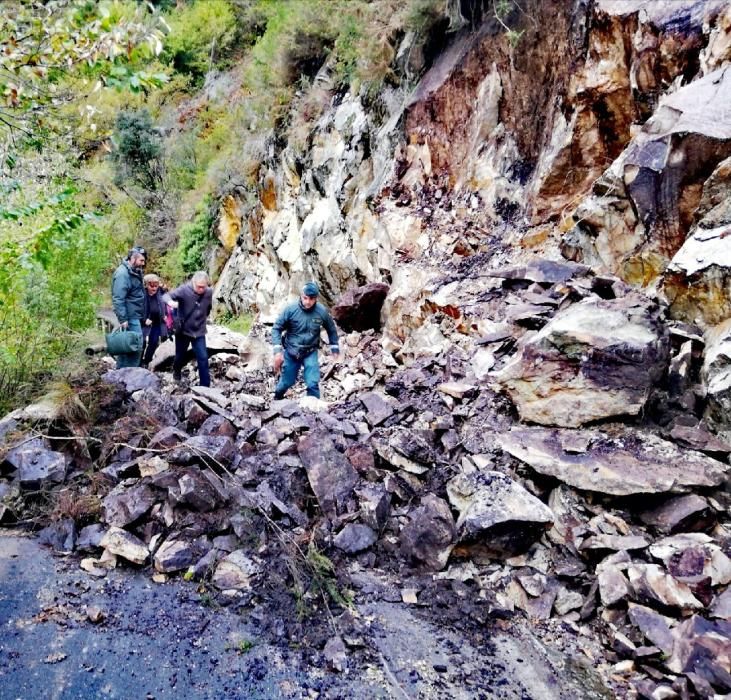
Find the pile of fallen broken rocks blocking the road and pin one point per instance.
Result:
(605, 519)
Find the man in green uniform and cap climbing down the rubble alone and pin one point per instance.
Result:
(296, 339)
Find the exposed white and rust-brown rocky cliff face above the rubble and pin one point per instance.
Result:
(593, 134)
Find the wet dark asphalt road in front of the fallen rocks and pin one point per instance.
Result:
(159, 641)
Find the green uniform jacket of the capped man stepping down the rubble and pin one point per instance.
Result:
(298, 329)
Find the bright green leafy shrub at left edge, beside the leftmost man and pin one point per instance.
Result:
(52, 269)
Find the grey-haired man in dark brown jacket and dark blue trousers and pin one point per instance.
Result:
(193, 301)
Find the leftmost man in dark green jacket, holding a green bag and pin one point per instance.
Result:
(128, 300)
